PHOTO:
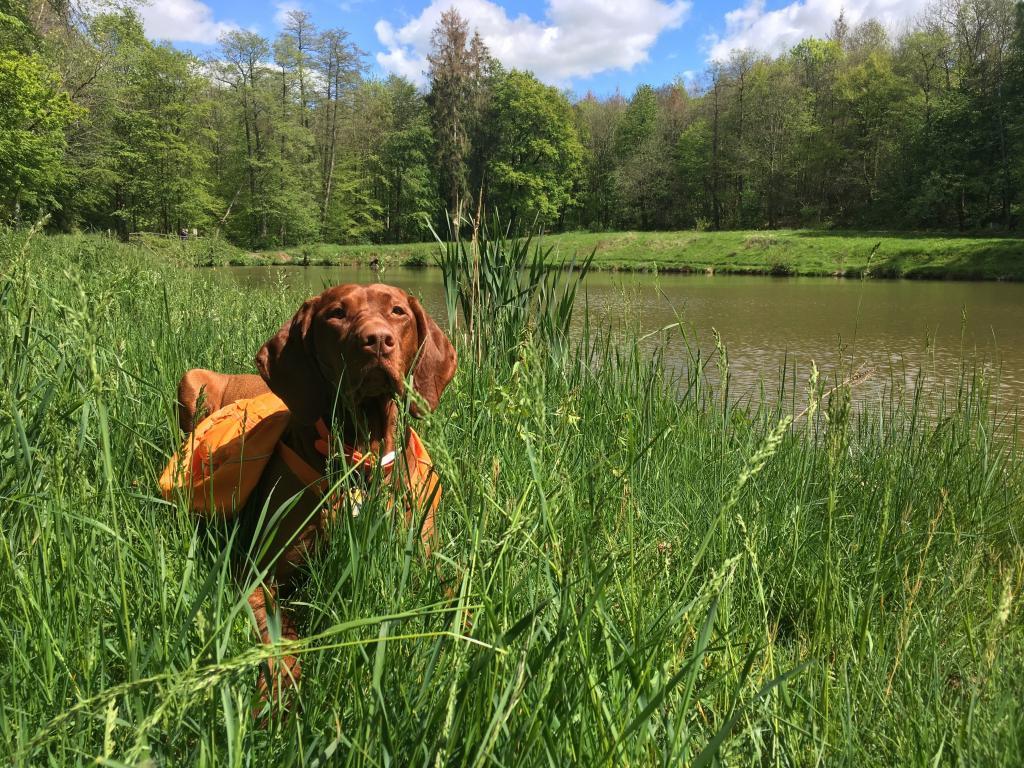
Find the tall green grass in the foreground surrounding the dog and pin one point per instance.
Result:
(653, 578)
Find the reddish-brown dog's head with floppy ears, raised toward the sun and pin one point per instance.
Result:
(353, 346)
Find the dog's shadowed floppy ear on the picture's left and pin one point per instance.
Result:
(287, 364)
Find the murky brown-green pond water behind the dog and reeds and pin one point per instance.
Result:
(891, 331)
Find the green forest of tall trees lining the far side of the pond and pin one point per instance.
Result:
(276, 143)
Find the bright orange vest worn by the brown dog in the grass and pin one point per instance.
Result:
(222, 462)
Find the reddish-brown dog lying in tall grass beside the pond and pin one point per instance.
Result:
(343, 361)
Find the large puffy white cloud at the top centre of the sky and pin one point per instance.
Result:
(577, 38)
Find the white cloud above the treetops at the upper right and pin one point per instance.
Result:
(776, 31)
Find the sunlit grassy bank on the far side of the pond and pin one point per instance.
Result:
(783, 252)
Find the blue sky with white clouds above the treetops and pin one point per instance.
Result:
(599, 46)
